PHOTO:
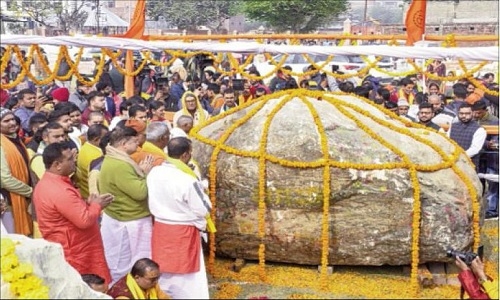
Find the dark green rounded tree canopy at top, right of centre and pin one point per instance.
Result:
(298, 16)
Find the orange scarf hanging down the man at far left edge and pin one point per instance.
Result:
(23, 224)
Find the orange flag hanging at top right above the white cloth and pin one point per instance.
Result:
(415, 21)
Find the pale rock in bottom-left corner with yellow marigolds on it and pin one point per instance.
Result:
(48, 263)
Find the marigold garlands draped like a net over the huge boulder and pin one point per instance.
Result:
(345, 107)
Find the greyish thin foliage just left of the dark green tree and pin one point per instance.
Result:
(193, 13)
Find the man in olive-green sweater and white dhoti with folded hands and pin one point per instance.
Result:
(126, 225)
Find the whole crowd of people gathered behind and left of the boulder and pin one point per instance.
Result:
(112, 179)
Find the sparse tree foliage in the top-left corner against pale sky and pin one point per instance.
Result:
(43, 10)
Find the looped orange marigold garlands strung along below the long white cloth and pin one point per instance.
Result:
(236, 67)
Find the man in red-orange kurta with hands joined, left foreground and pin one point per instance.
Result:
(65, 218)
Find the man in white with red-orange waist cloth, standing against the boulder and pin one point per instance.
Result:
(179, 206)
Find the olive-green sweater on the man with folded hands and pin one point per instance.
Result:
(118, 178)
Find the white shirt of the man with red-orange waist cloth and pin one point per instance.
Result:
(177, 198)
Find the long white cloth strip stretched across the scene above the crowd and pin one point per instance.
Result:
(465, 53)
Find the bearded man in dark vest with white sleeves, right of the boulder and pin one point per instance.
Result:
(468, 133)
